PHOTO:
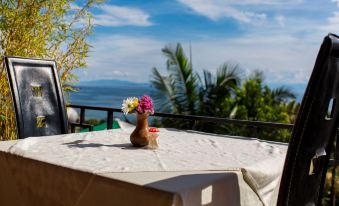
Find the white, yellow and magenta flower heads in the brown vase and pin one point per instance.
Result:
(144, 105)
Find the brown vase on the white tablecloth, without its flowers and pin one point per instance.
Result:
(139, 137)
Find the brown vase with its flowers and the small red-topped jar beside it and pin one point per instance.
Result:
(142, 136)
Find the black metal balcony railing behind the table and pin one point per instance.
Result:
(334, 162)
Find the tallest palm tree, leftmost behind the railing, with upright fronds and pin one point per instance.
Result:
(178, 91)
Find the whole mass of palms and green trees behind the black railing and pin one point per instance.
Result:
(183, 91)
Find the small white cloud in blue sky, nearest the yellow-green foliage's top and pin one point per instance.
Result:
(111, 15)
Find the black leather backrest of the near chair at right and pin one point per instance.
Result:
(314, 131)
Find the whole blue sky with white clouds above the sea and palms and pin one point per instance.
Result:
(279, 37)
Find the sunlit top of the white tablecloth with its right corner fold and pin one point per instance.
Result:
(110, 154)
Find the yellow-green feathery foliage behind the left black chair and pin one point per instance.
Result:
(51, 29)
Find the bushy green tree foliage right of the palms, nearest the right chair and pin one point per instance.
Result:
(257, 102)
